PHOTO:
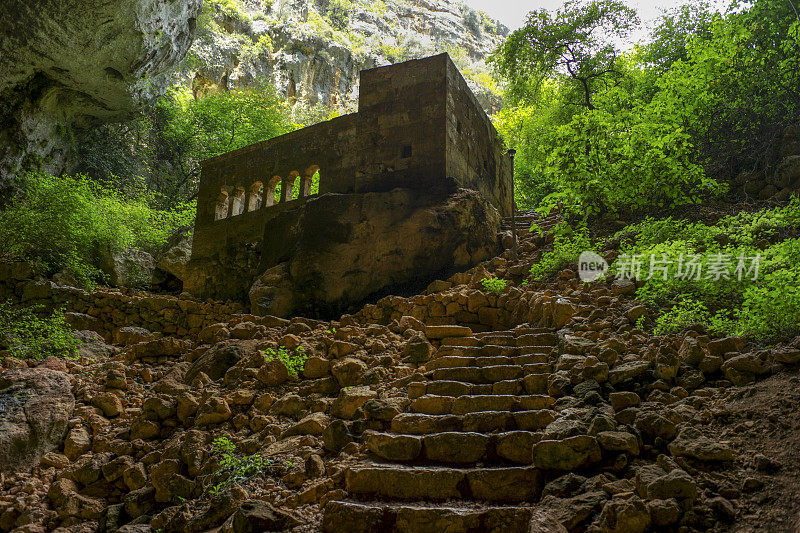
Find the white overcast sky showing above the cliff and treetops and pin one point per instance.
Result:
(513, 13)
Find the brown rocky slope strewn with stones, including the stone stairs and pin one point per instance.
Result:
(406, 419)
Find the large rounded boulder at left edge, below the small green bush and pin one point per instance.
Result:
(35, 406)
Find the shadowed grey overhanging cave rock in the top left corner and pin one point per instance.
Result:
(74, 63)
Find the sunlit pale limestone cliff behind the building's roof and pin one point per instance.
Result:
(313, 50)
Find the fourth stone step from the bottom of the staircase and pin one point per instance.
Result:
(479, 422)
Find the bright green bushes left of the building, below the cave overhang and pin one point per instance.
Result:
(66, 224)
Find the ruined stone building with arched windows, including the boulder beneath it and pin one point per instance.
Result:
(420, 155)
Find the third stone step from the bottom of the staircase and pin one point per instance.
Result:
(454, 447)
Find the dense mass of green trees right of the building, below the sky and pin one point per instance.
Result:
(705, 99)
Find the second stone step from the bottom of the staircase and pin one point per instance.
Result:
(500, 484)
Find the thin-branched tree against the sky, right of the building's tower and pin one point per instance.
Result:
(575, 44)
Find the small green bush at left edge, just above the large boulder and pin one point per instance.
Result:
(31, 333)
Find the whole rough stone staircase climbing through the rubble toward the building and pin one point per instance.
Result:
(460, 458)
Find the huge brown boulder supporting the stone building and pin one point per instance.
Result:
(367, 243)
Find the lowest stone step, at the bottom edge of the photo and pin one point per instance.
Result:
(423, 517)
